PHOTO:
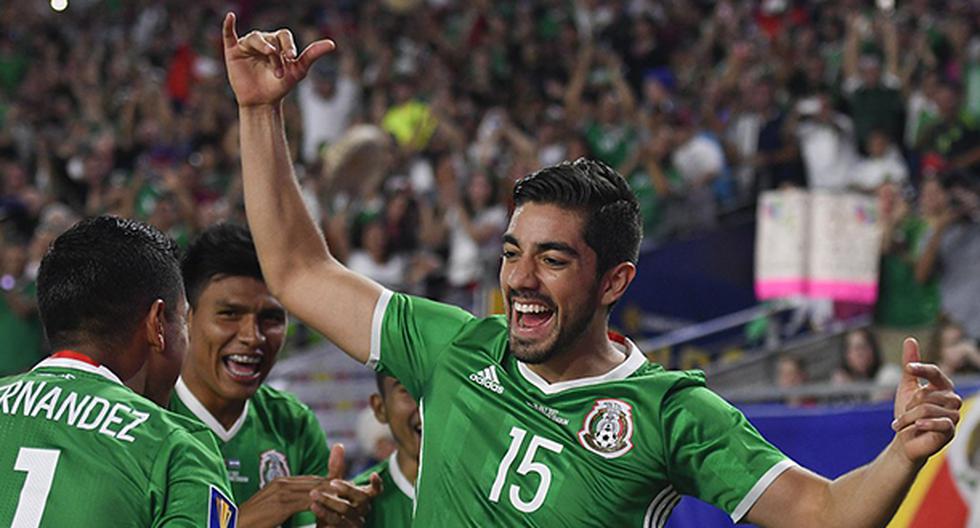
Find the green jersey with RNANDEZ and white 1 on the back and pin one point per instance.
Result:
(79, 448)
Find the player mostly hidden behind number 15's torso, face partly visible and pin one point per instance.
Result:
(394, 406)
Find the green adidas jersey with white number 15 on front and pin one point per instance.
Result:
(501, 446)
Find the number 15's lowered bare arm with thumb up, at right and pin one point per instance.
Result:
(925, 420)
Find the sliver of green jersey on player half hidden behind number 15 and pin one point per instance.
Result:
(393, 508)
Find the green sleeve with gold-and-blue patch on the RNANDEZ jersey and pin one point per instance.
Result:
(189, 485)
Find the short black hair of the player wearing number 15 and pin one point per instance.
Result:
(613, 228)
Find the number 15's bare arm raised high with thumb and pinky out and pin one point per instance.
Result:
(296, 262)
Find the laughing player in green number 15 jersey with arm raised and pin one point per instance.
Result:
(542, 417)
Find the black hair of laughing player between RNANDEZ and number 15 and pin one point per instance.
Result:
(224, 249)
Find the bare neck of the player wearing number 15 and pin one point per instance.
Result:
(593, 354)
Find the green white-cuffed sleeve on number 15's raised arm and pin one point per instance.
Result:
(409, 334)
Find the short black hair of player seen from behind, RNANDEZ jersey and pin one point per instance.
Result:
(99, 278)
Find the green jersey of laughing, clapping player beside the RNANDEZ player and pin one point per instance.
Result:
(275, 436)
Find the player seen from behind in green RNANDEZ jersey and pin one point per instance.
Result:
(79, 448)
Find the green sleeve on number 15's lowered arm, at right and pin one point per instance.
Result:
(714, 453)
